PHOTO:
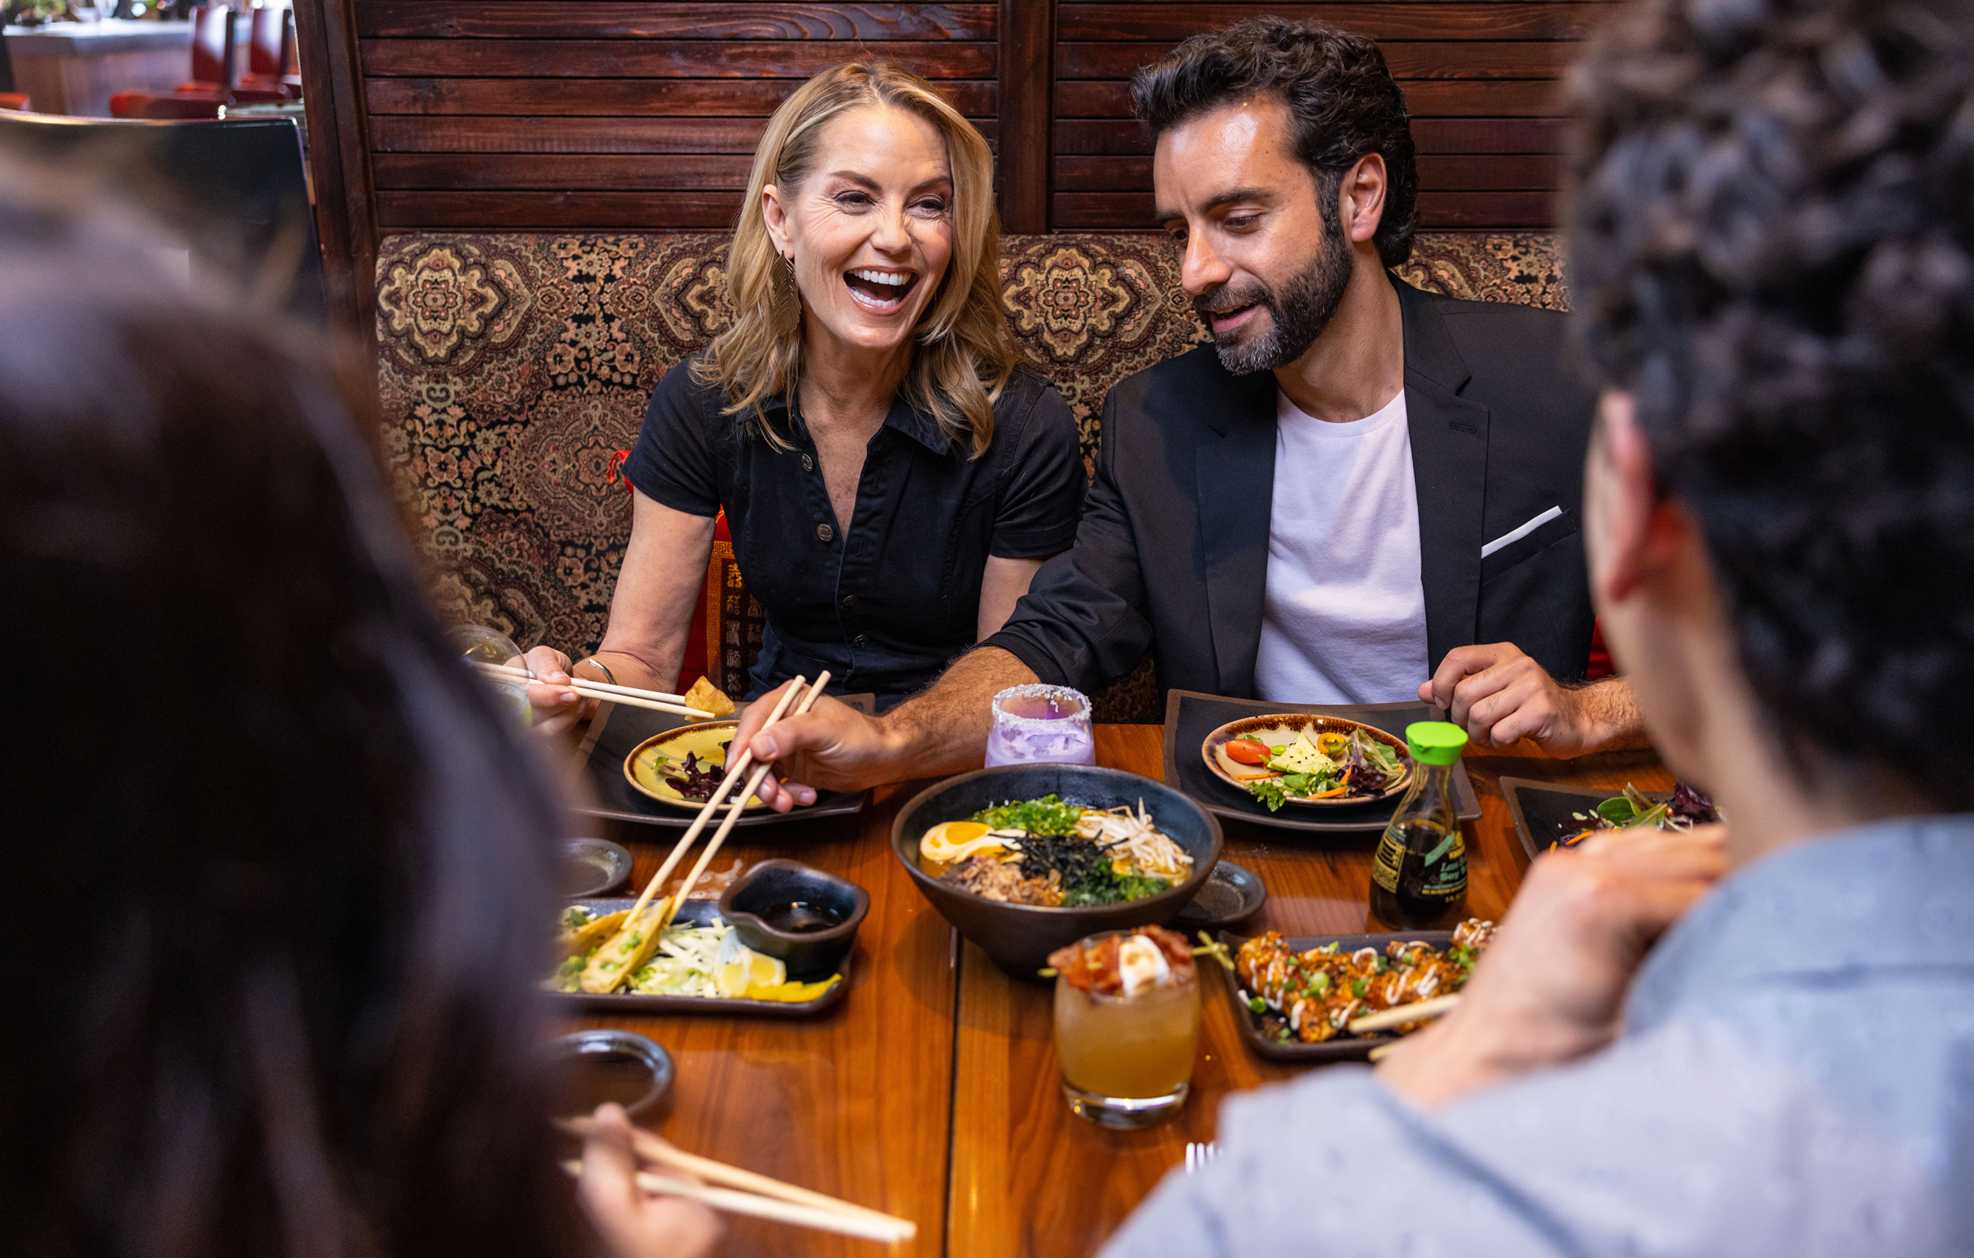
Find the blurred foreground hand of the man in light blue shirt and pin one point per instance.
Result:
(1553, 984)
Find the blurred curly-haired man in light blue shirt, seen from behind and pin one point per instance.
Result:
(1776, 248)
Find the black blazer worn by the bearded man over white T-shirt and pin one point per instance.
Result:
(1172, 554)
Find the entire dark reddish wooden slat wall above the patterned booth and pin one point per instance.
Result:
(623, 114)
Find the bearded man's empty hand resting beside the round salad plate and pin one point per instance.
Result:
(1501, 696)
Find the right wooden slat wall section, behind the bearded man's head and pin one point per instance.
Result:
(1481, 84)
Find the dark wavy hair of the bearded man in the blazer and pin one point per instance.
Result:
(1337, 88)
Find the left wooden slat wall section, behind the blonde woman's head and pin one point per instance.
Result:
(615, 116)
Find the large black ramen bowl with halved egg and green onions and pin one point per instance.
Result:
(1029, 858)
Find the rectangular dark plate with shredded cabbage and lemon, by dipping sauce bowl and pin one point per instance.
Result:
(696, 961)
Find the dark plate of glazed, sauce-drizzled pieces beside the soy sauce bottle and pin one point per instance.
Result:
(1337, 979)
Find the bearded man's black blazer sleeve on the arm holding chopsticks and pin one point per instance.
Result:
(1085, 621)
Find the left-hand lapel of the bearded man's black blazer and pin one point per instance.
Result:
(1235, 469)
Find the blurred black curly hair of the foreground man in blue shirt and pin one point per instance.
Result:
(1774, 252)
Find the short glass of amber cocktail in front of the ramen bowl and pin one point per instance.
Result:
(1128, 1060)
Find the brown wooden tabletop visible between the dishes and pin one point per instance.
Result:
(933, 1091)
